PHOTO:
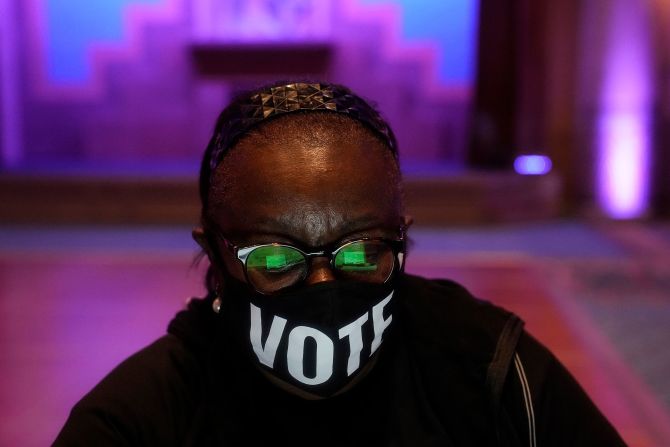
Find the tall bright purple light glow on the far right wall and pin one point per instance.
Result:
(623, 123)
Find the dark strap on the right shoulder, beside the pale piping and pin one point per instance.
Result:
(502, 359)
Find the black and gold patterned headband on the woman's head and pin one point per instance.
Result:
(276, 101)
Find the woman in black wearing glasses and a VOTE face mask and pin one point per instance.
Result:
(311, 333)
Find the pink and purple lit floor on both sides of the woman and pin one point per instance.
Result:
(74, 301)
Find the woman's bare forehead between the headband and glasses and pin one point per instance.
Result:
(312, 188)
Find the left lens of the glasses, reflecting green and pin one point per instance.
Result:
(273, 267)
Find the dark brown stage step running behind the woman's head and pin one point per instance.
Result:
(434, 197)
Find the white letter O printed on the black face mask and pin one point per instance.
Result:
(296, 350)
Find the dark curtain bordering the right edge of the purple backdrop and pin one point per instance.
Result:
(508, 111)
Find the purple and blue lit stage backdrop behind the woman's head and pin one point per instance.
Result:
(137, 84)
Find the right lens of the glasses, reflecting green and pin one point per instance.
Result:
(369, 261)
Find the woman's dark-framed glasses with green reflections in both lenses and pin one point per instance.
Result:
(270, 268)
